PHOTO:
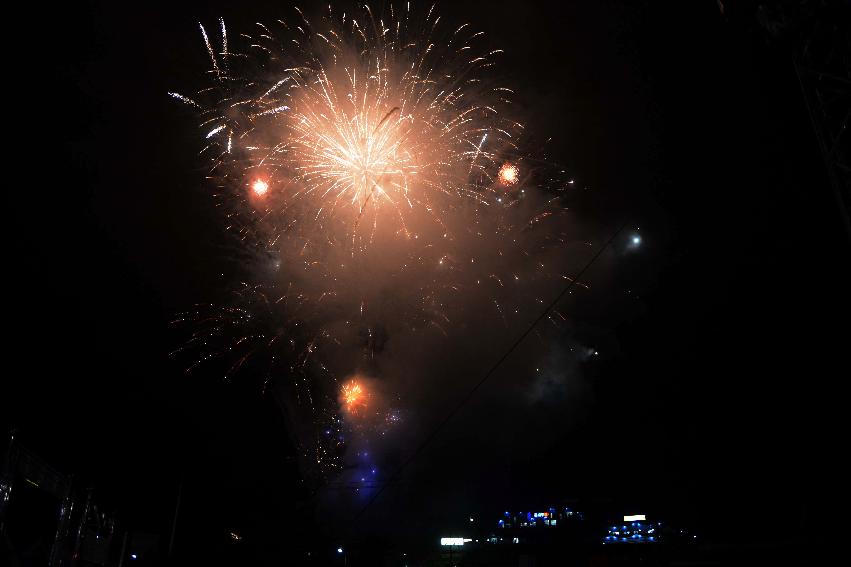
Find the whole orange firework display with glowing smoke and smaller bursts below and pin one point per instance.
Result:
(371, 169)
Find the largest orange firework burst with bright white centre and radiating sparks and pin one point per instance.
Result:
(358, 121)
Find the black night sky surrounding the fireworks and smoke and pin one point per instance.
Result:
(720, 399)
